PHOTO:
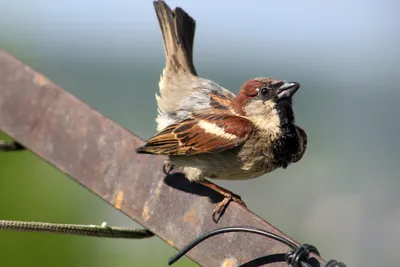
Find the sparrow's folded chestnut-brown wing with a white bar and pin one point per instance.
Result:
(202, 133)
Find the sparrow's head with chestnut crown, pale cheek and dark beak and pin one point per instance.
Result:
(266, 101)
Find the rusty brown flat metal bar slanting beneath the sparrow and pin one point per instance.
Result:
(100, 155)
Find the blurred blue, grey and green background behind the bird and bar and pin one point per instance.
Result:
(341, 197)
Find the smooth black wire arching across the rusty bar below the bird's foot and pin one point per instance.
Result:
(224, 230)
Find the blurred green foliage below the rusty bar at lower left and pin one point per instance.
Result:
(32, 190)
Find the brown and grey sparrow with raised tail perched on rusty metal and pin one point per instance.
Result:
(208, 131)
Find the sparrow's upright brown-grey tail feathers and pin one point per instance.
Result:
(178, 30)
